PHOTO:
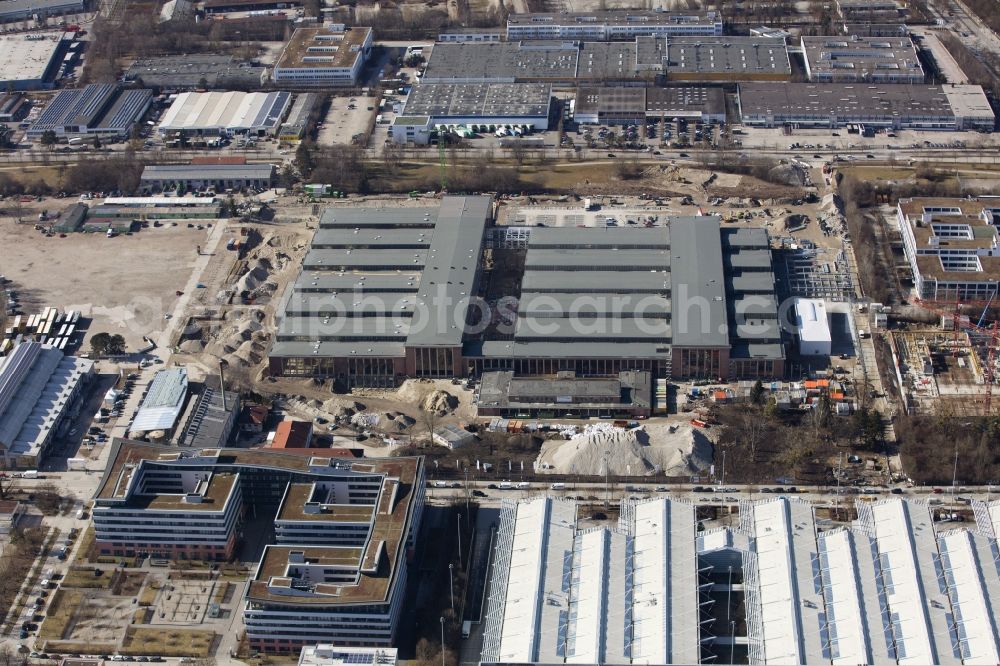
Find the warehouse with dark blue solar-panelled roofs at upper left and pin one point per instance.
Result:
(102, 110)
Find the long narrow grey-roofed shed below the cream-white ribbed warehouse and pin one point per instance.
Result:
(216, 177)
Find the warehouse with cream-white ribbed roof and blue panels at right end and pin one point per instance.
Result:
(226, 114)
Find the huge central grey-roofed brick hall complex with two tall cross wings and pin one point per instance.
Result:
(391, 293)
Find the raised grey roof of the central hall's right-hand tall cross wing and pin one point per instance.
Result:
(699, 289)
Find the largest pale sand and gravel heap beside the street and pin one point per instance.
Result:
(641, 451)
